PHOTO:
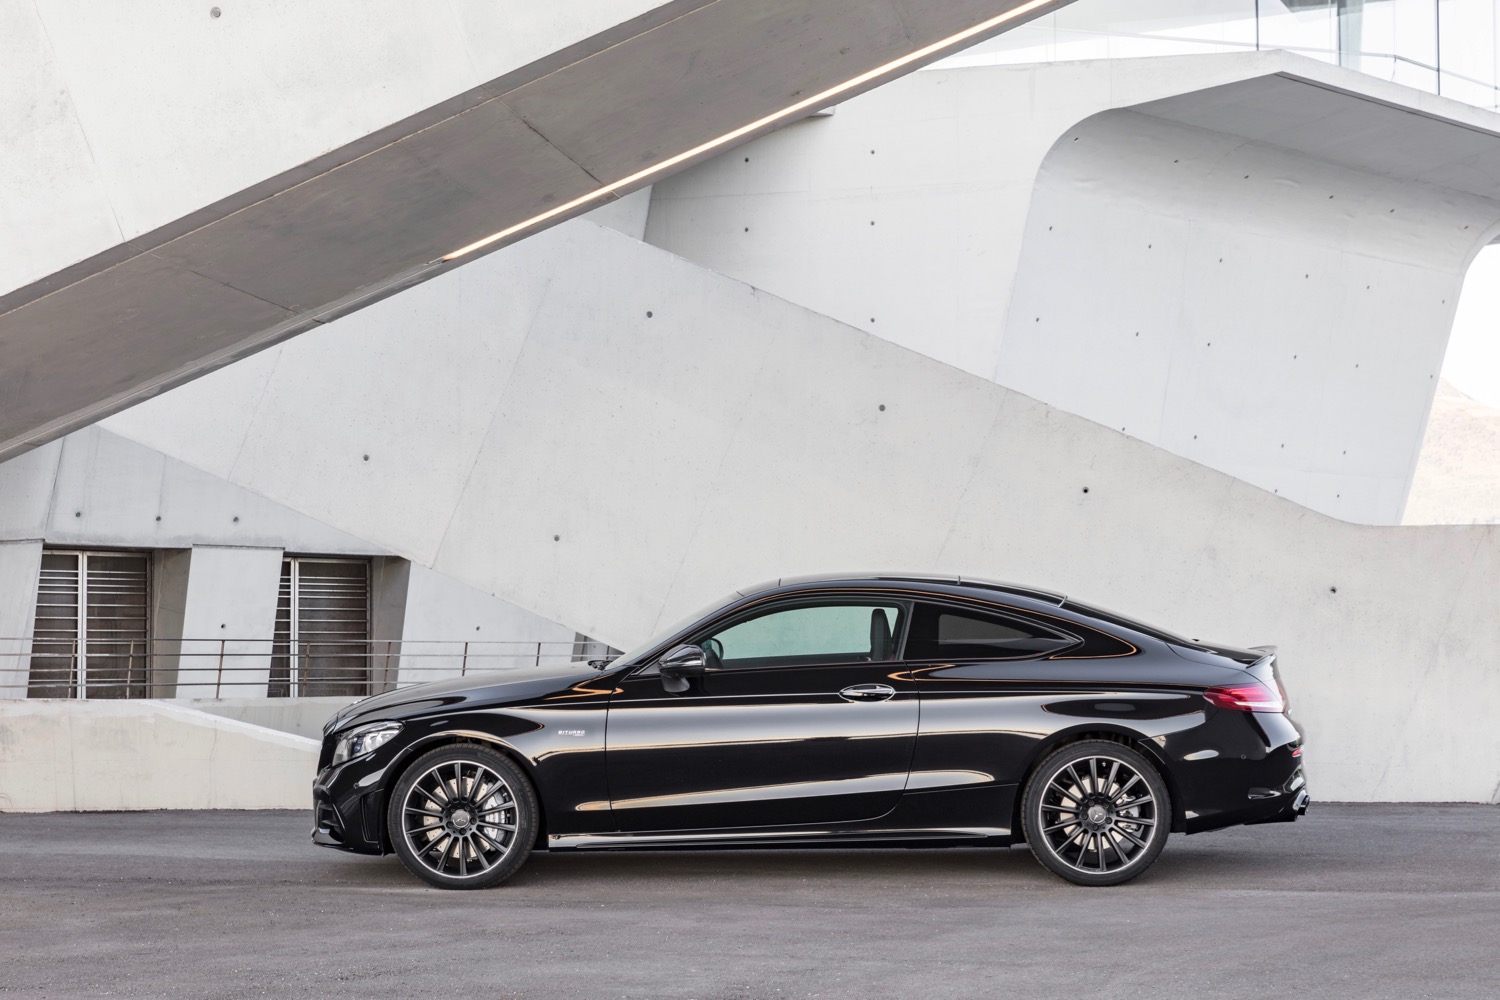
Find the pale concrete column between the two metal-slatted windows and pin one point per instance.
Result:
(229, 620)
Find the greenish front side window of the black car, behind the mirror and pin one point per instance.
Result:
(814, 633)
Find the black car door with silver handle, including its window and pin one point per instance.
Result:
(802, 717)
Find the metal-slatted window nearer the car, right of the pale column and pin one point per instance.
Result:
(323, 629)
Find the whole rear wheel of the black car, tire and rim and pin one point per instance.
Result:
(1097, 813)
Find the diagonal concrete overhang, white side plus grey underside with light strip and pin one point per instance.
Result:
(184, 244)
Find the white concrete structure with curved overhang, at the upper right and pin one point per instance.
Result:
(1186, 250)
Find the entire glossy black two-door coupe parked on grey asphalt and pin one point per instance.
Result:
(874, 710)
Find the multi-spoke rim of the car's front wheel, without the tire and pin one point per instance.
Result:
(460, 819)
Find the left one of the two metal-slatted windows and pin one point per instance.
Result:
(92, 626)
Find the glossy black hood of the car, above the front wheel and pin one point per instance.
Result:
(476, 690)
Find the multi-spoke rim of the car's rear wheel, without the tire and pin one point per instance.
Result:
(1097, 815)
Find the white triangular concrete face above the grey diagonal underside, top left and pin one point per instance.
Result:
(91, 163)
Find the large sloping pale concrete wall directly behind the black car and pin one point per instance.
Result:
(610, 437)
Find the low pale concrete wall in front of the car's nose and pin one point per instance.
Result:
(146, 756)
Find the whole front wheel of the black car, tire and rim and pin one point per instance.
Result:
(463, 818)
